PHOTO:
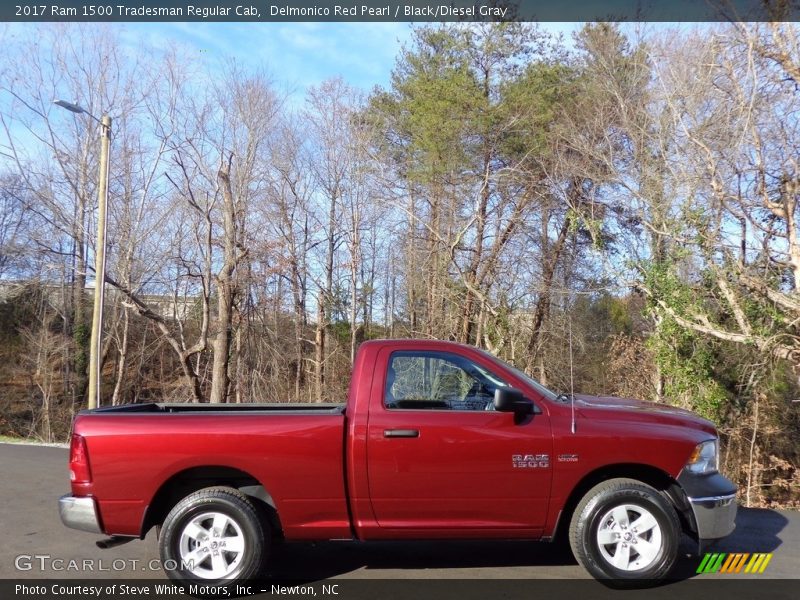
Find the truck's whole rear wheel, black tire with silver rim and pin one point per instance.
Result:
(215, 535)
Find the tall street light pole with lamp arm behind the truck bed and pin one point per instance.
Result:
(95, 350)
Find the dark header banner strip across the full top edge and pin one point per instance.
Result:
(397, 11)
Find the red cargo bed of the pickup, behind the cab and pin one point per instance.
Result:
(294, 450)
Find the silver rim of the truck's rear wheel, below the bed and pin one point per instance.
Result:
(212, 546)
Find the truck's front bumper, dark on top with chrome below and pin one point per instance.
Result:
(712, 499)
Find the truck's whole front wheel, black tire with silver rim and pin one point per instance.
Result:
(608, 543)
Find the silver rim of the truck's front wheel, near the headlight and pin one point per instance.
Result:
(629, 537)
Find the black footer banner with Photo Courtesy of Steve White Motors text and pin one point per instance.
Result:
(701, 587)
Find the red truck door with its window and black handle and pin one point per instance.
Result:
(440, 457)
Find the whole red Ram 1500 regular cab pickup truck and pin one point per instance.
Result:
(436, 441)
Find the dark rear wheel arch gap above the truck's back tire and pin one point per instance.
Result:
(184, 482)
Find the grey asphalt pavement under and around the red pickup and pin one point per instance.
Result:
(33, 477)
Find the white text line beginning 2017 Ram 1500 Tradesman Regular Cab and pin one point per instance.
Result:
(259, 11)
